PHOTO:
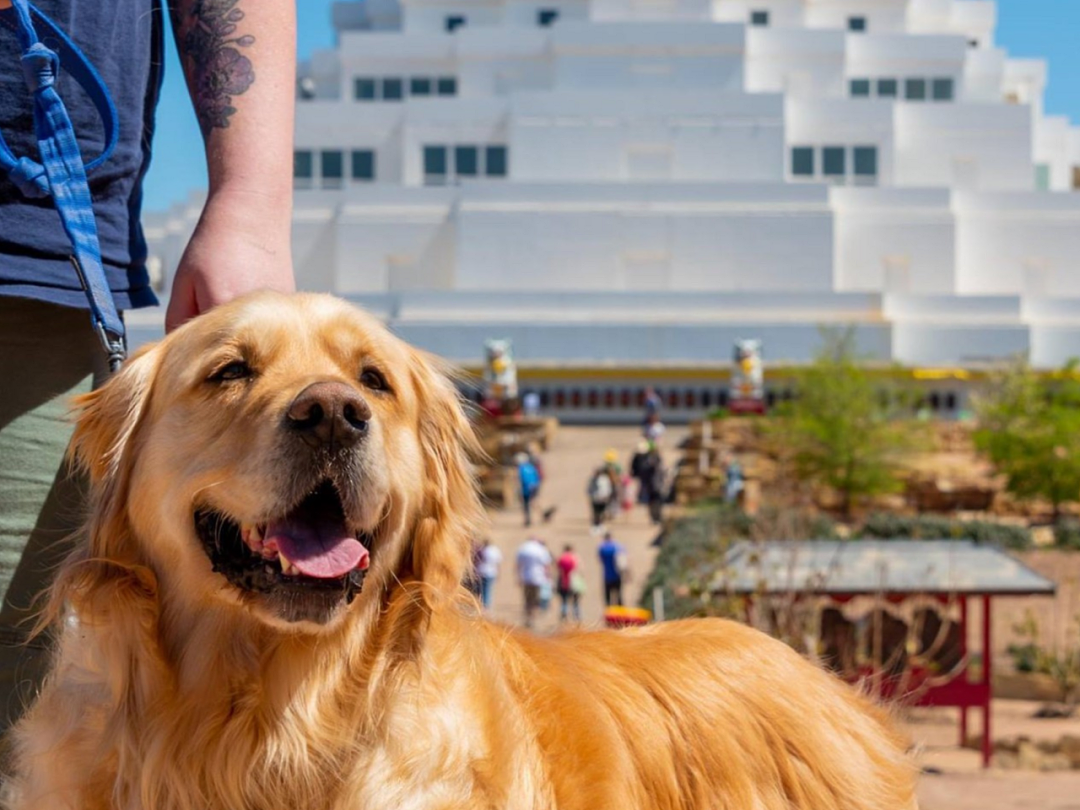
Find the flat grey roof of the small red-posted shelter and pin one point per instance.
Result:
(854, 568)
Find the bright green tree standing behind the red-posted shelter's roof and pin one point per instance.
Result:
(842, 430)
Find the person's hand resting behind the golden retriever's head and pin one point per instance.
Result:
(239, 247)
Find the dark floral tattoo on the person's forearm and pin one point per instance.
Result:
(219, 70)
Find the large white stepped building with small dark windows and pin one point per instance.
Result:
(636, 184)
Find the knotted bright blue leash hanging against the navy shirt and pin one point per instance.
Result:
(62, 173)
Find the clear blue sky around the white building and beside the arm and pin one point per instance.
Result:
(1027, 29)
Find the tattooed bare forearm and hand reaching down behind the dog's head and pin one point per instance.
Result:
(239, 58)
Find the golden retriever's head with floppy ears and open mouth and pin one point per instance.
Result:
(286, 455)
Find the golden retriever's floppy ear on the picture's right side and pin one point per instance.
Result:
(451, 515)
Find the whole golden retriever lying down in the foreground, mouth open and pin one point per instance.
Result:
(266, 614)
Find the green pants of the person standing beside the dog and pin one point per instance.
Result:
(48, 355)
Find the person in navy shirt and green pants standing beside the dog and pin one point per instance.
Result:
(240, 65)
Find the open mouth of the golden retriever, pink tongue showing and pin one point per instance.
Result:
(309, 548)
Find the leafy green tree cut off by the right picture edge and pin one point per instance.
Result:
(1030, 428)
